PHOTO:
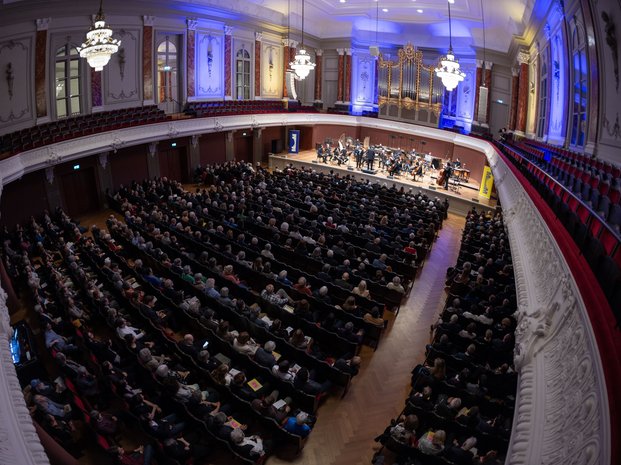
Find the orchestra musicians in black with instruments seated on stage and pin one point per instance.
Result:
(392, 161)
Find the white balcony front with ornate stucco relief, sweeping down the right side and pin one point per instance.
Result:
(559, 413)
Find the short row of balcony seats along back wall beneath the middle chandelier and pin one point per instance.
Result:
(243, 107)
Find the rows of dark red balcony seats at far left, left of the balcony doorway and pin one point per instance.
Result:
(79, 126)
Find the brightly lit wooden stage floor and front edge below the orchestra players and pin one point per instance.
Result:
(462, 196)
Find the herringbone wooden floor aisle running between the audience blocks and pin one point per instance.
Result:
(345, 428)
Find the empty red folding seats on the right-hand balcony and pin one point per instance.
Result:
(586, 198)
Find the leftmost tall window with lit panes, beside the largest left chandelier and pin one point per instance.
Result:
(67, 81)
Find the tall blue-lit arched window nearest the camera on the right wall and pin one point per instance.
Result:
(579, 85)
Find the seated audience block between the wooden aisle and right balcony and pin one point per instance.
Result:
(460, 408)
